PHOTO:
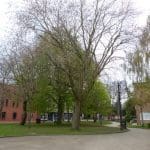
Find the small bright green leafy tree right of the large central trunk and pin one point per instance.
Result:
(98, 101)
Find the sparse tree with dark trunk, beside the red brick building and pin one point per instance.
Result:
(23, 69)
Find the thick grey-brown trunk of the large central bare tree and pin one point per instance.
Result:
(76, 116)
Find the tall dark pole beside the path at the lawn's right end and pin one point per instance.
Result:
(119, 106)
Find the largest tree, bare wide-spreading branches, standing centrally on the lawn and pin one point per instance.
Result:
(98, 28)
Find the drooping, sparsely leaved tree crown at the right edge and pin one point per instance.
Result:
(137, 63)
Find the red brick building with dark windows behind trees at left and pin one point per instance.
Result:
(12, 109)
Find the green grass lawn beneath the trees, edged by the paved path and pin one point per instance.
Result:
(51, 129)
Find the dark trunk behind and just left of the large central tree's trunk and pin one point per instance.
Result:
(60, 111)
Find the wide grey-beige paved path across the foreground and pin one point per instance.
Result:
(136, 139)
